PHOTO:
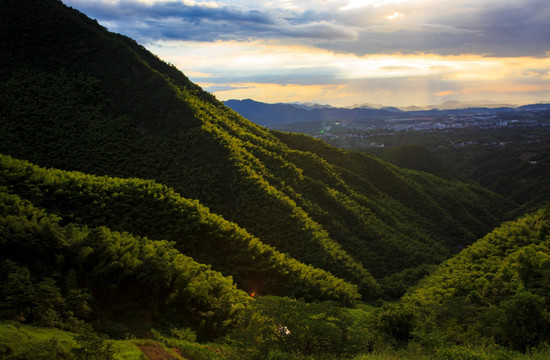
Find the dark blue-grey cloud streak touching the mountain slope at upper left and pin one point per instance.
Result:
(199, 21)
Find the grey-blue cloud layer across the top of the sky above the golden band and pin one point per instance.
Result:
(495, 28)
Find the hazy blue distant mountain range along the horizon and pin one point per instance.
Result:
(286, 113)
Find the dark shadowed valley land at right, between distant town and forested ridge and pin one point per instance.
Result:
(511, 161)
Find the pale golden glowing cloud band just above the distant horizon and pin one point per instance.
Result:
(271, 72)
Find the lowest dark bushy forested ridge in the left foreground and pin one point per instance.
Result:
(123, 273)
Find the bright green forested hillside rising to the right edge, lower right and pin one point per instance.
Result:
(498, 289)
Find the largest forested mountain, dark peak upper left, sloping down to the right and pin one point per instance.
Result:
(77, 97)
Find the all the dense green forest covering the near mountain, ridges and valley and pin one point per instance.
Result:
(139, 214)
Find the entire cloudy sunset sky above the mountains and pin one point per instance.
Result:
(346, 52)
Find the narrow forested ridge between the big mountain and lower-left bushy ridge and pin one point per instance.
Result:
(145, 208)
